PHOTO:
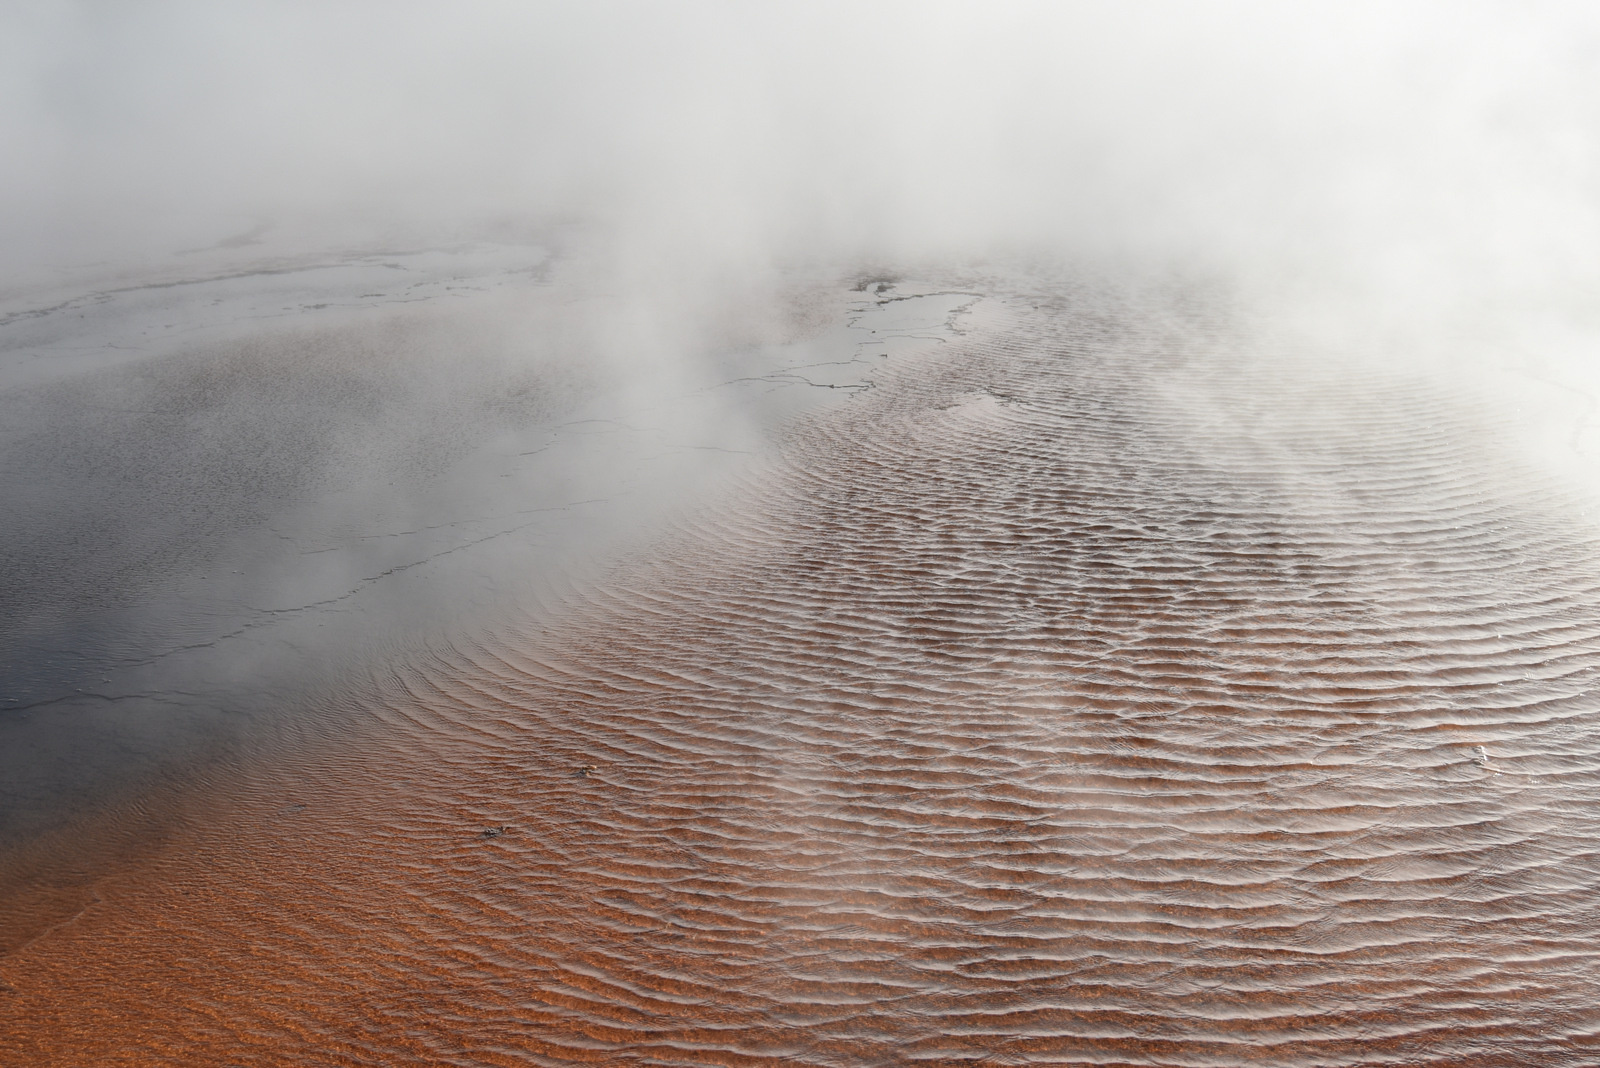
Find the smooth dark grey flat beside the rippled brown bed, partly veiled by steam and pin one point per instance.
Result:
(238, 487)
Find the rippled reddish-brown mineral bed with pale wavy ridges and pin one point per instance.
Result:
(1089, 696)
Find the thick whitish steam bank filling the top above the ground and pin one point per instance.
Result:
(1390, 149)
